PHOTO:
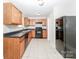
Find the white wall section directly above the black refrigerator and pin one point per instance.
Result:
(67, 8)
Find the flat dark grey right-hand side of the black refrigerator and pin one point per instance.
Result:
(70, 35)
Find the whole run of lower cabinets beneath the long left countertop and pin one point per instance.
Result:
(14, 47)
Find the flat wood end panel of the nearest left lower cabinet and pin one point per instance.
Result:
(11, 48)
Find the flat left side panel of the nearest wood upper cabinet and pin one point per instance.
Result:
(7, 13)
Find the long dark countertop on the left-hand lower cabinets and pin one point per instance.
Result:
(16, 34)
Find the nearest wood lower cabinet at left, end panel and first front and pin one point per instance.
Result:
(13, 48)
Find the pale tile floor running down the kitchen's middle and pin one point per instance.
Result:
(40, 49)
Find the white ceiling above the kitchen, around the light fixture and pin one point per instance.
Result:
(31, 8)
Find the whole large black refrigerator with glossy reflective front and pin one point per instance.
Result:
(66, 36)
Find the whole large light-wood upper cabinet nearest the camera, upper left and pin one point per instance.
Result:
(11, 14)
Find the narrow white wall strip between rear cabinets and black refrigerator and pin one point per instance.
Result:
(51, 30)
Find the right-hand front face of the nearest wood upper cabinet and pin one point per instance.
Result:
(16, 16)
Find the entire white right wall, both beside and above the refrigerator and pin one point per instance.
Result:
(66, 8)
